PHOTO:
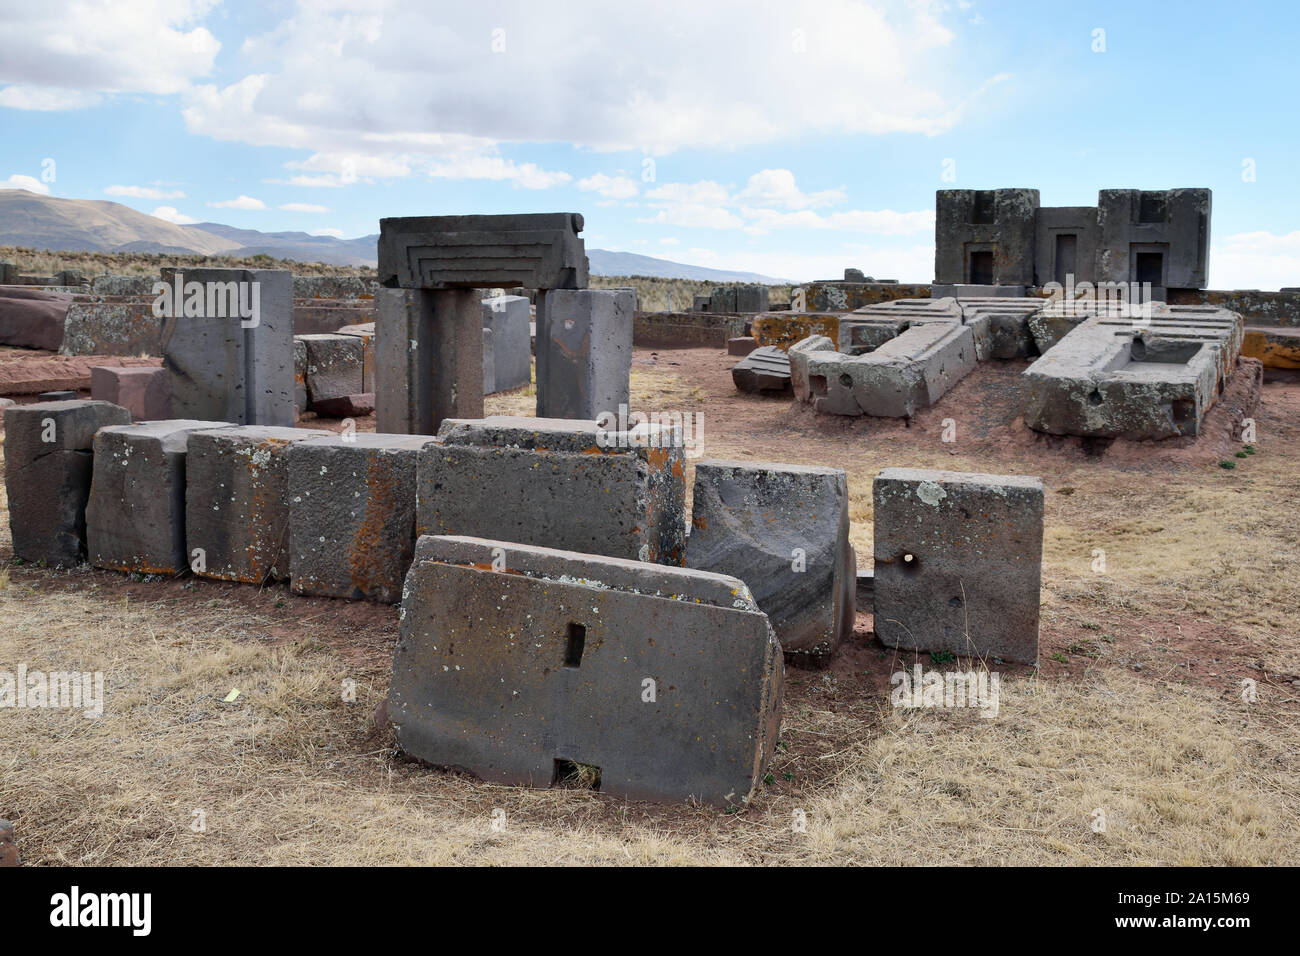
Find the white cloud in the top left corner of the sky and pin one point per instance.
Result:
(66, 54)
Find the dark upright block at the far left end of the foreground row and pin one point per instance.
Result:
(49, 465)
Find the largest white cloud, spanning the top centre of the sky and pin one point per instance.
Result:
(450, 92)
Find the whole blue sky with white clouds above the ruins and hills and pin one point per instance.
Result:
(787, 139)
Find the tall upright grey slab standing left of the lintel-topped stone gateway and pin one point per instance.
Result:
(223, 371)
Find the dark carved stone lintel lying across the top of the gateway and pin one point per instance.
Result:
(531, 252)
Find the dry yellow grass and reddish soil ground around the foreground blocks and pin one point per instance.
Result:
(1136, 712)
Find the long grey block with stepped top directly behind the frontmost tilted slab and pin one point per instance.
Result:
(552, 483)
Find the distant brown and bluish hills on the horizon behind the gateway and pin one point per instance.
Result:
(96, 226)
